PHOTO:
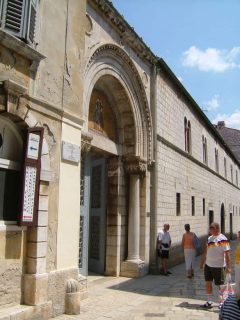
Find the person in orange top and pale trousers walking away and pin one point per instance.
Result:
(189, 250)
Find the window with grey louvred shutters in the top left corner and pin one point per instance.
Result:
(19, 18)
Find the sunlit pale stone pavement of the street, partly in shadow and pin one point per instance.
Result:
(152, 297)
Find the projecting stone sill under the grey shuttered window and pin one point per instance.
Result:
(20, 47)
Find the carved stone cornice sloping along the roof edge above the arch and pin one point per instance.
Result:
(126, 32)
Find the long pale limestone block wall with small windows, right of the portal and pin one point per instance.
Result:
(179, 172)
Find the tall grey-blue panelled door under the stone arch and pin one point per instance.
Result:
(92, 242)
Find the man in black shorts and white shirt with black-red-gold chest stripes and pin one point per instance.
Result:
(217, 252)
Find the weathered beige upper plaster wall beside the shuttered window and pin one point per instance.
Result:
(61, 40)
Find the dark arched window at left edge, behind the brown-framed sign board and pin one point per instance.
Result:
(11, 146)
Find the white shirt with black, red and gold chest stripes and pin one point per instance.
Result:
(216, 247)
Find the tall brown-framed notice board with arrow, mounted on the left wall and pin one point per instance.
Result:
(31, 177)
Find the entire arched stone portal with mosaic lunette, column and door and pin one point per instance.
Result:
(119, 124)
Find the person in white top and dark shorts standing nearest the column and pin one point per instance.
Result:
(163, 245)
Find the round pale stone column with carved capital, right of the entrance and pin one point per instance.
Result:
(134, 267)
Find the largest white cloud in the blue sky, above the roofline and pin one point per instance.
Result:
(212, 59)
